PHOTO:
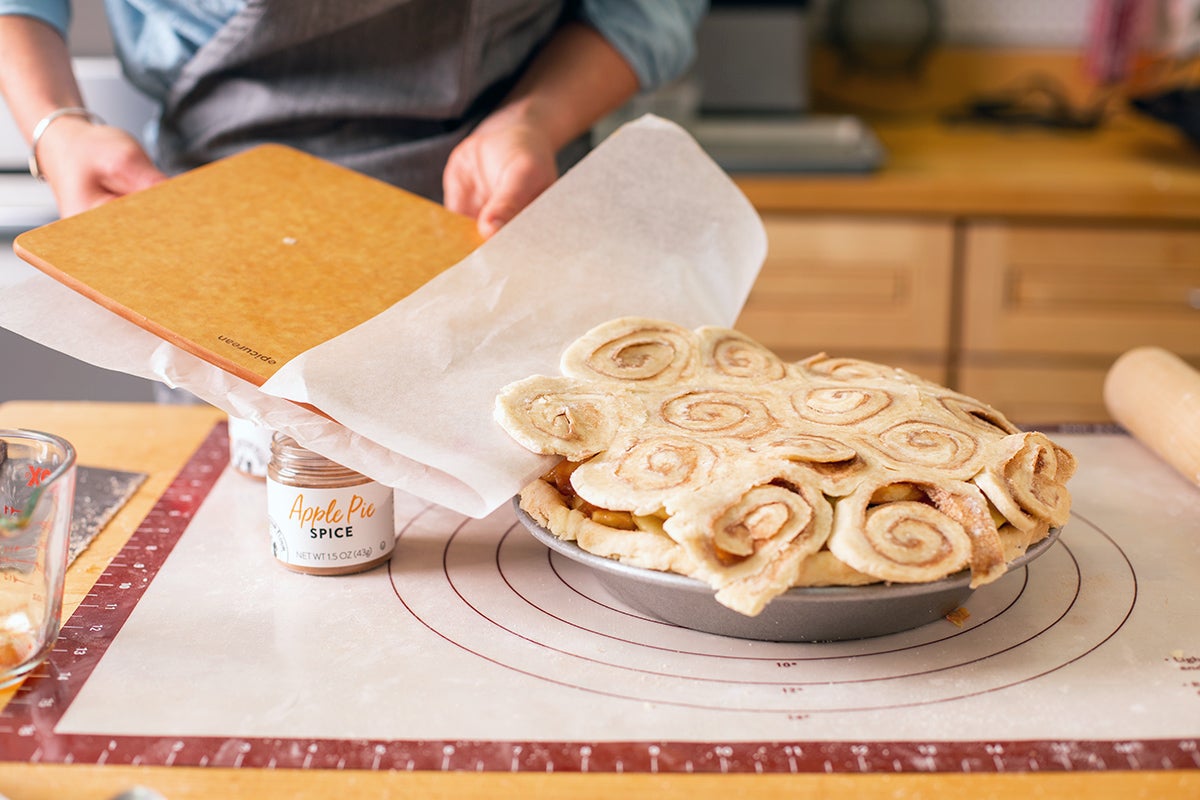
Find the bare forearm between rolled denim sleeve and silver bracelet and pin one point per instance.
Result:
(35, 73)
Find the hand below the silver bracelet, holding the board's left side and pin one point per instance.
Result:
(88, 165)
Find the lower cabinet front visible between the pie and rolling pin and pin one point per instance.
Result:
(1034, 396)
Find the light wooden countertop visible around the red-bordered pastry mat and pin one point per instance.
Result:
(160, 440)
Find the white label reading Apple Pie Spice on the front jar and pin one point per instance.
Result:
(331, 528)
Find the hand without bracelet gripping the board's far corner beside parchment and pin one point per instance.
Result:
(497, 171)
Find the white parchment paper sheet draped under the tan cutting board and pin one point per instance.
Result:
(647, 225)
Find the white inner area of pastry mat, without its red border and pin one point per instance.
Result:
(476, 635)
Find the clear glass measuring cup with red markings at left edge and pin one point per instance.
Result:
(38, 474)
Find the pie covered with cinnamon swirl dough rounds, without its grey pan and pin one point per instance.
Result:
(701, 453)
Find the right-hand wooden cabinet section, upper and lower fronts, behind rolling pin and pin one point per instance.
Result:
(1047, 309)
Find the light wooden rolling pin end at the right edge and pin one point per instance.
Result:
(1156, 396)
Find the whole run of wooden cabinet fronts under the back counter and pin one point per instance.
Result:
(1027, 316)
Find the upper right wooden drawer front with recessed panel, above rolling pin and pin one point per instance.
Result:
(1081, 291)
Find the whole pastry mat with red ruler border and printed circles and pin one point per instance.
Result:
(477, 651)
